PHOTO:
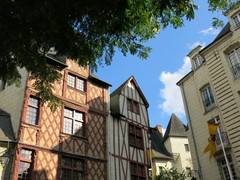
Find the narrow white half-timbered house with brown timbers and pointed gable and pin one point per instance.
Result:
(128, 128)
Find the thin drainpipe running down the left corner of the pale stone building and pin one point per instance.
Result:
(190, 126)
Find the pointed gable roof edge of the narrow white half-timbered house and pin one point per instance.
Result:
(120, 88)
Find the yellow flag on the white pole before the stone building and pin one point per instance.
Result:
(211, 145)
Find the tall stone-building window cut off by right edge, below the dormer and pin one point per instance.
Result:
(234, 58)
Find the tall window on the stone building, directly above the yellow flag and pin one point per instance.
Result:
(208, 98)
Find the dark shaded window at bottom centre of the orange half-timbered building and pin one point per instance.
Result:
(71, 169)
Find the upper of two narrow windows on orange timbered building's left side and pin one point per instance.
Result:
(32, 110)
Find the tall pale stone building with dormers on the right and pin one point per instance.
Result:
(211, 91)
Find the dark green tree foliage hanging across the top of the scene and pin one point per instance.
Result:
(85, 30)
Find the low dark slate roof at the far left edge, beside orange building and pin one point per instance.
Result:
(6, 131)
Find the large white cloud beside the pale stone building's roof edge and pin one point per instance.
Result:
(171, 95)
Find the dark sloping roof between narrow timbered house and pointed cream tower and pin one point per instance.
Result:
(159, 150)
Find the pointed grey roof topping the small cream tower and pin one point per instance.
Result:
(175, 128)
